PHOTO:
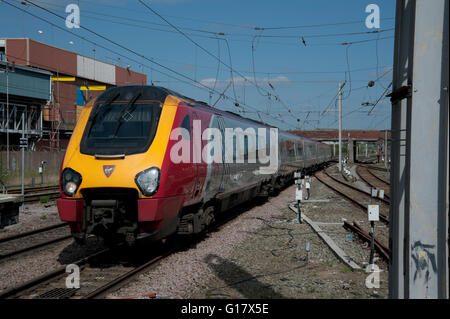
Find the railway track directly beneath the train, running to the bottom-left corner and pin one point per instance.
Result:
(109, 269)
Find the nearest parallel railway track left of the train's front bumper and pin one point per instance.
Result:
(19, 243)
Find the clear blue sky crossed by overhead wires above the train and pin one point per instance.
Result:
(279, 81)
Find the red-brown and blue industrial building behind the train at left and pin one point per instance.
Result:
(49, 86)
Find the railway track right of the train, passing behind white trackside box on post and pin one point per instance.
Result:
(358, 197)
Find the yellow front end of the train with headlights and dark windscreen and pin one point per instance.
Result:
(111, 179)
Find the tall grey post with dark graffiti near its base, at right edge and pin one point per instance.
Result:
(419, 152)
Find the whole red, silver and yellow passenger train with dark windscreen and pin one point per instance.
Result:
(122, 177)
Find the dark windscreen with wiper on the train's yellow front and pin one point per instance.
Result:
(121, 127)
